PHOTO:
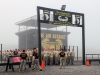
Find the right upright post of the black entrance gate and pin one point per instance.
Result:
(83, 41)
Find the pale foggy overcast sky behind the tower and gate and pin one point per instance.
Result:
(12, 11)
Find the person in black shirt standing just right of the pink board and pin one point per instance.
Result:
(24, 59)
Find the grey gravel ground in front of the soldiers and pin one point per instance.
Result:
(54, 70)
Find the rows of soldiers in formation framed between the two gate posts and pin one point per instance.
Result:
(51, 57)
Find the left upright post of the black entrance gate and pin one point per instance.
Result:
(39, 34)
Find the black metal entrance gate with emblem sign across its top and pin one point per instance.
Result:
(63, 18)
